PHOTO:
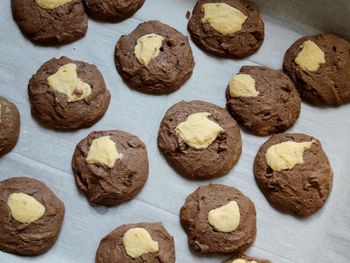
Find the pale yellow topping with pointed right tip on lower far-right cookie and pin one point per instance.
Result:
(286, 155)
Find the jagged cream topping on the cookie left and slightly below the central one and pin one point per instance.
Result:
(103, 151)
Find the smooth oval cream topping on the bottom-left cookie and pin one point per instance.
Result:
(25, 208)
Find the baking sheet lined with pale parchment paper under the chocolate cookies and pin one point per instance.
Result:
(45, 154)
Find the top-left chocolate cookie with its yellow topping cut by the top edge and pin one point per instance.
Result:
(50, 22)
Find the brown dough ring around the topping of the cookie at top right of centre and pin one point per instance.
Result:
(239, 44)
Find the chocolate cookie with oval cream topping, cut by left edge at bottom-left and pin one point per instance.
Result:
(31, 216)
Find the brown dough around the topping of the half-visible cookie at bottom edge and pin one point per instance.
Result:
(112, 247)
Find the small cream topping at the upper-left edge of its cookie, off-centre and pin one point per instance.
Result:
(243, 85)
